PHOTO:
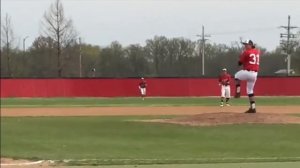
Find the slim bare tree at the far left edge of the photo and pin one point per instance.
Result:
(7, 41)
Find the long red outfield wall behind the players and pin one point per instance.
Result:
(265, 86)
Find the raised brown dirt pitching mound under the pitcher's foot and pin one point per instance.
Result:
(222, 118)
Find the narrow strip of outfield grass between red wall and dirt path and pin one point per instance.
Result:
(177, 101)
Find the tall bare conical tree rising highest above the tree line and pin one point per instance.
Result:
(59, 28)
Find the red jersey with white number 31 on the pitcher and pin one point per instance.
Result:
(250, 60)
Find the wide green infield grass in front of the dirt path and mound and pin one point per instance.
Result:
(119, 140)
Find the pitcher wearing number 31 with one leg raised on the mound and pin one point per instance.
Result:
(249, 59)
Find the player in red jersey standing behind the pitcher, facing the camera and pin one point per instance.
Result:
(224, 82)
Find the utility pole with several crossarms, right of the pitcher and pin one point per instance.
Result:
(287, 44)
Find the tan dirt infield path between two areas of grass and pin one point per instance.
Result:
(117, 111)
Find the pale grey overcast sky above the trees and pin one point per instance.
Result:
(100, 22)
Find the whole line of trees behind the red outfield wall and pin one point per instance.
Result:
(59, 53)
